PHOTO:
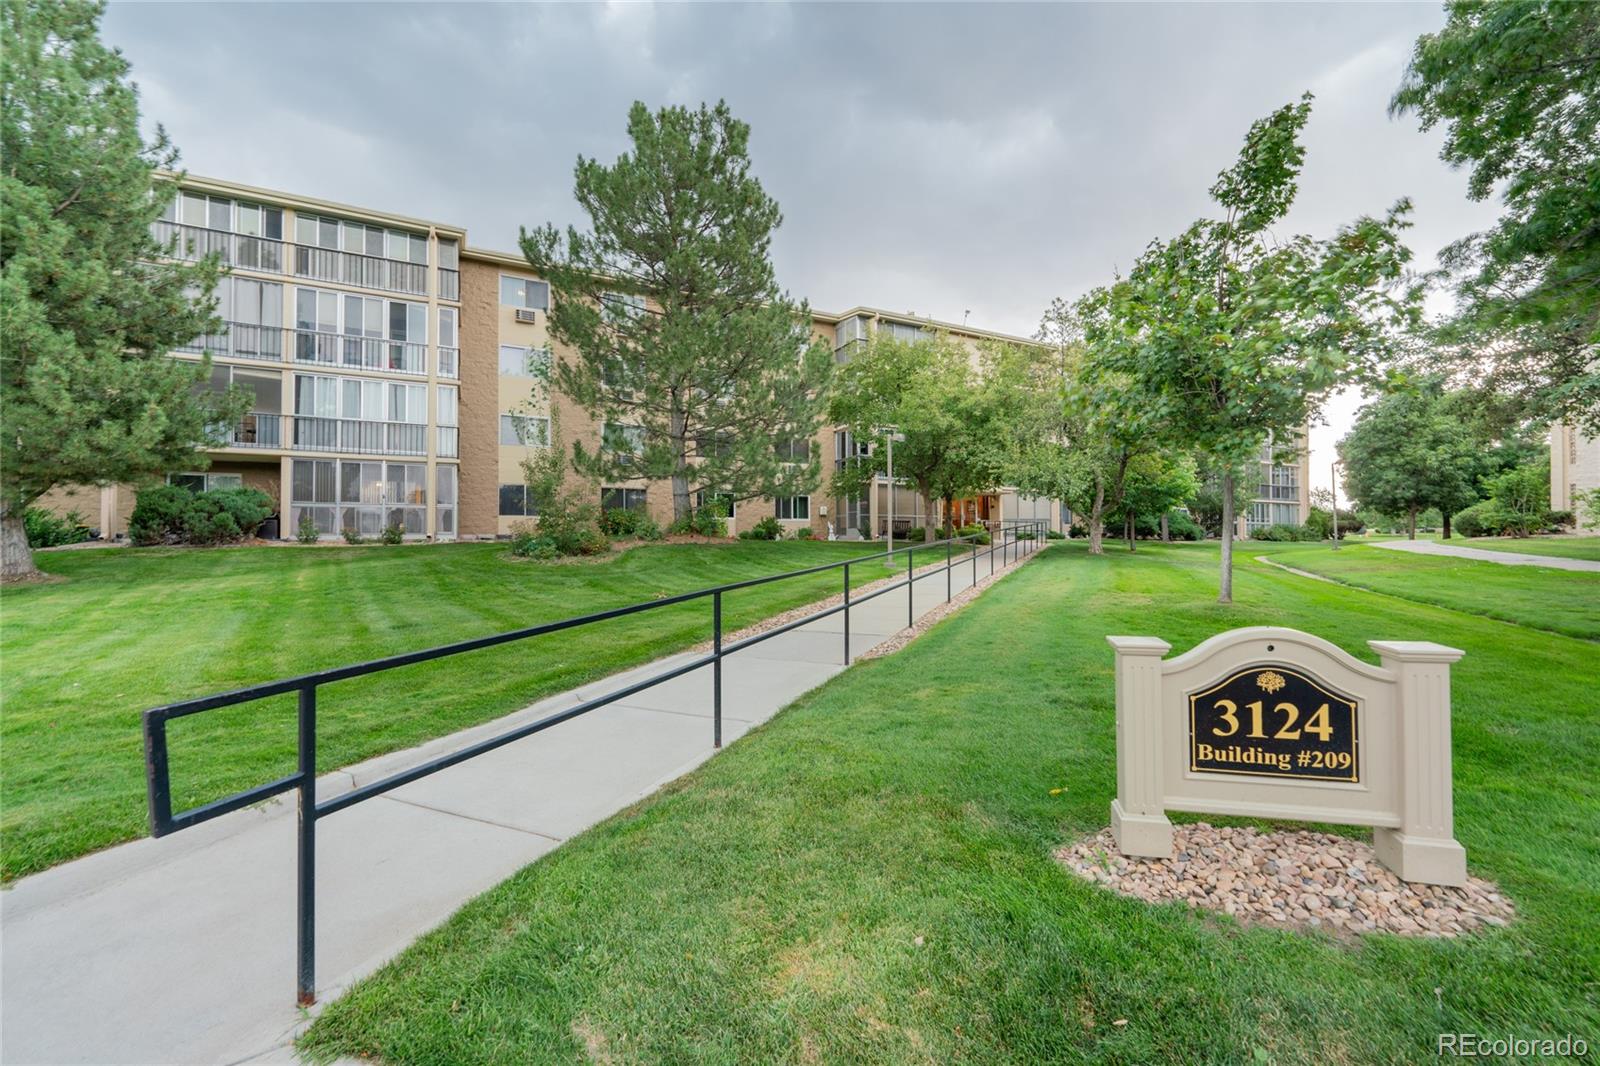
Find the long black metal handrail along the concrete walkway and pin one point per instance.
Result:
(305, 779)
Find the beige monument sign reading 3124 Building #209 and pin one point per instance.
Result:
(1268, 723)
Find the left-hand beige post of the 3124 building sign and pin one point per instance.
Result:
(1137, 817)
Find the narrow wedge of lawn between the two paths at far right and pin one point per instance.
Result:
(1559, 601)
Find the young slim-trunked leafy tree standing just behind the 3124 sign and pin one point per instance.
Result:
(1231, 334)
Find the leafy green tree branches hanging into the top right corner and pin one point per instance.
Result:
(1518, 89)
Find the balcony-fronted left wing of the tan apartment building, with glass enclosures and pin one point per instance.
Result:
(343, 326)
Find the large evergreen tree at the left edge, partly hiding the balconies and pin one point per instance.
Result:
(89, 313)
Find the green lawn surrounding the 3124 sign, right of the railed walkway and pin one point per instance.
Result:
(868, 878)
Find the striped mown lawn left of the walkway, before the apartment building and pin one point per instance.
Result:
(134, 630)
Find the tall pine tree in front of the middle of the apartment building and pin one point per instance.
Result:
(702, 369)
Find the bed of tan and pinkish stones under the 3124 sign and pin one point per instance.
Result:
(1313, 881)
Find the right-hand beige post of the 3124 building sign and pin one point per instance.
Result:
(1425, 846)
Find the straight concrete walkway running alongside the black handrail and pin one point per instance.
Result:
(183, 950)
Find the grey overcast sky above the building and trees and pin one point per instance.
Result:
(951, 161)
